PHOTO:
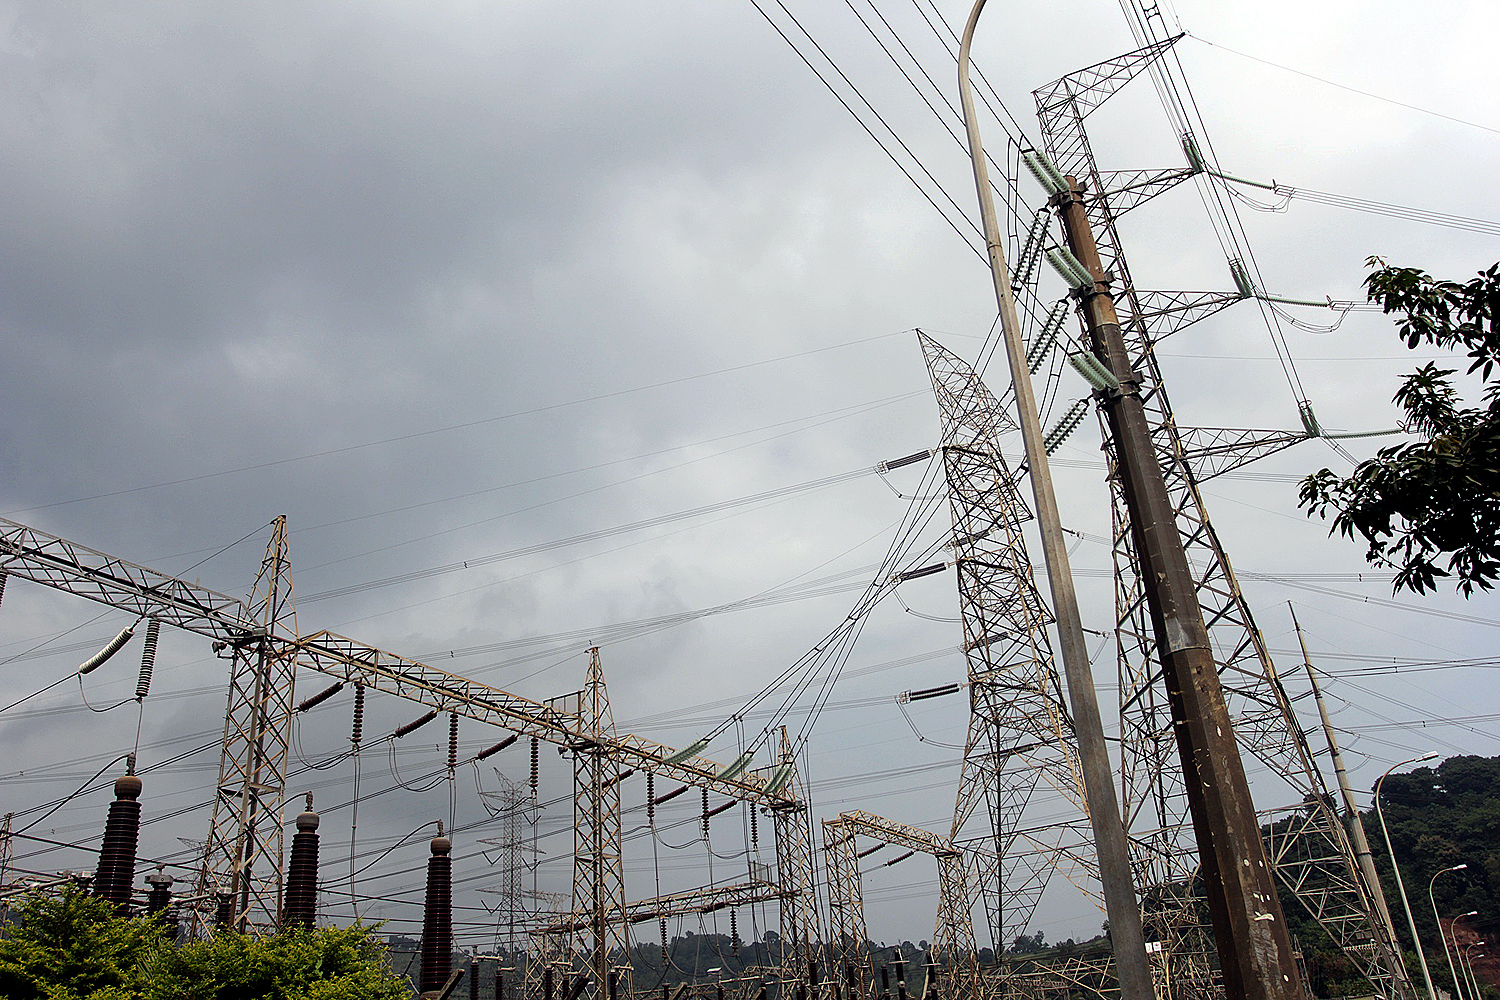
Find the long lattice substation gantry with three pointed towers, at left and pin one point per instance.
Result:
(244, 861)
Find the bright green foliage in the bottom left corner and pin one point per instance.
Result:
(73, 947)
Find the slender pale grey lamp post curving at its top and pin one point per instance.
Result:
(1099, 776)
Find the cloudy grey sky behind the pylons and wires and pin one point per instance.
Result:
(557, 326)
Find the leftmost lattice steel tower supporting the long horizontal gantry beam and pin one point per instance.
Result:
(244, 857)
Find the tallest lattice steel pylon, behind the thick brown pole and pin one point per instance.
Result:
(1153, 794)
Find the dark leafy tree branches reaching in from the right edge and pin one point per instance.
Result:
(1439, 497)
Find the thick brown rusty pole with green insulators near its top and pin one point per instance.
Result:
(1250, 930)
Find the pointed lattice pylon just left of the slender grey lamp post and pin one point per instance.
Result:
(1021, 747)
